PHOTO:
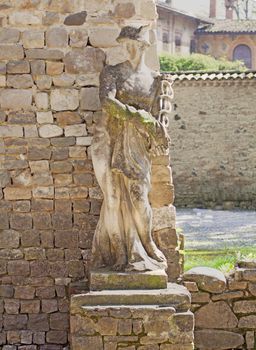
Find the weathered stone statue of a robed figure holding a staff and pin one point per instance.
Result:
(125, 139)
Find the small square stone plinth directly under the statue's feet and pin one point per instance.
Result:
(110, 280)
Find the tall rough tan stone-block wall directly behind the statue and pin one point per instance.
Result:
(51, 56)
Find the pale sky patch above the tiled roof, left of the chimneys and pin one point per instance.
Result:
(197, 7)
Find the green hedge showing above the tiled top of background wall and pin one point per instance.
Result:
(197, 62)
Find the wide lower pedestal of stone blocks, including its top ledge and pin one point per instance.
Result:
(159, 326)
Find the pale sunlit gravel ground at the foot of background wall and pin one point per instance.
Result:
(217, 229)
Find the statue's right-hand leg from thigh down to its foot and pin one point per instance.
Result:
(142, 214)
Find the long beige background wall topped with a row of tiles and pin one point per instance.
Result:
(213, 141)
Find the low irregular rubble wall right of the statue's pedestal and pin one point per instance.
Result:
(224, 308)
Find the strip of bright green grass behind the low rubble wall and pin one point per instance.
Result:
(223, 260)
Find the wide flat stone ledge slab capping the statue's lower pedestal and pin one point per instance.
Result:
(174, 295)
